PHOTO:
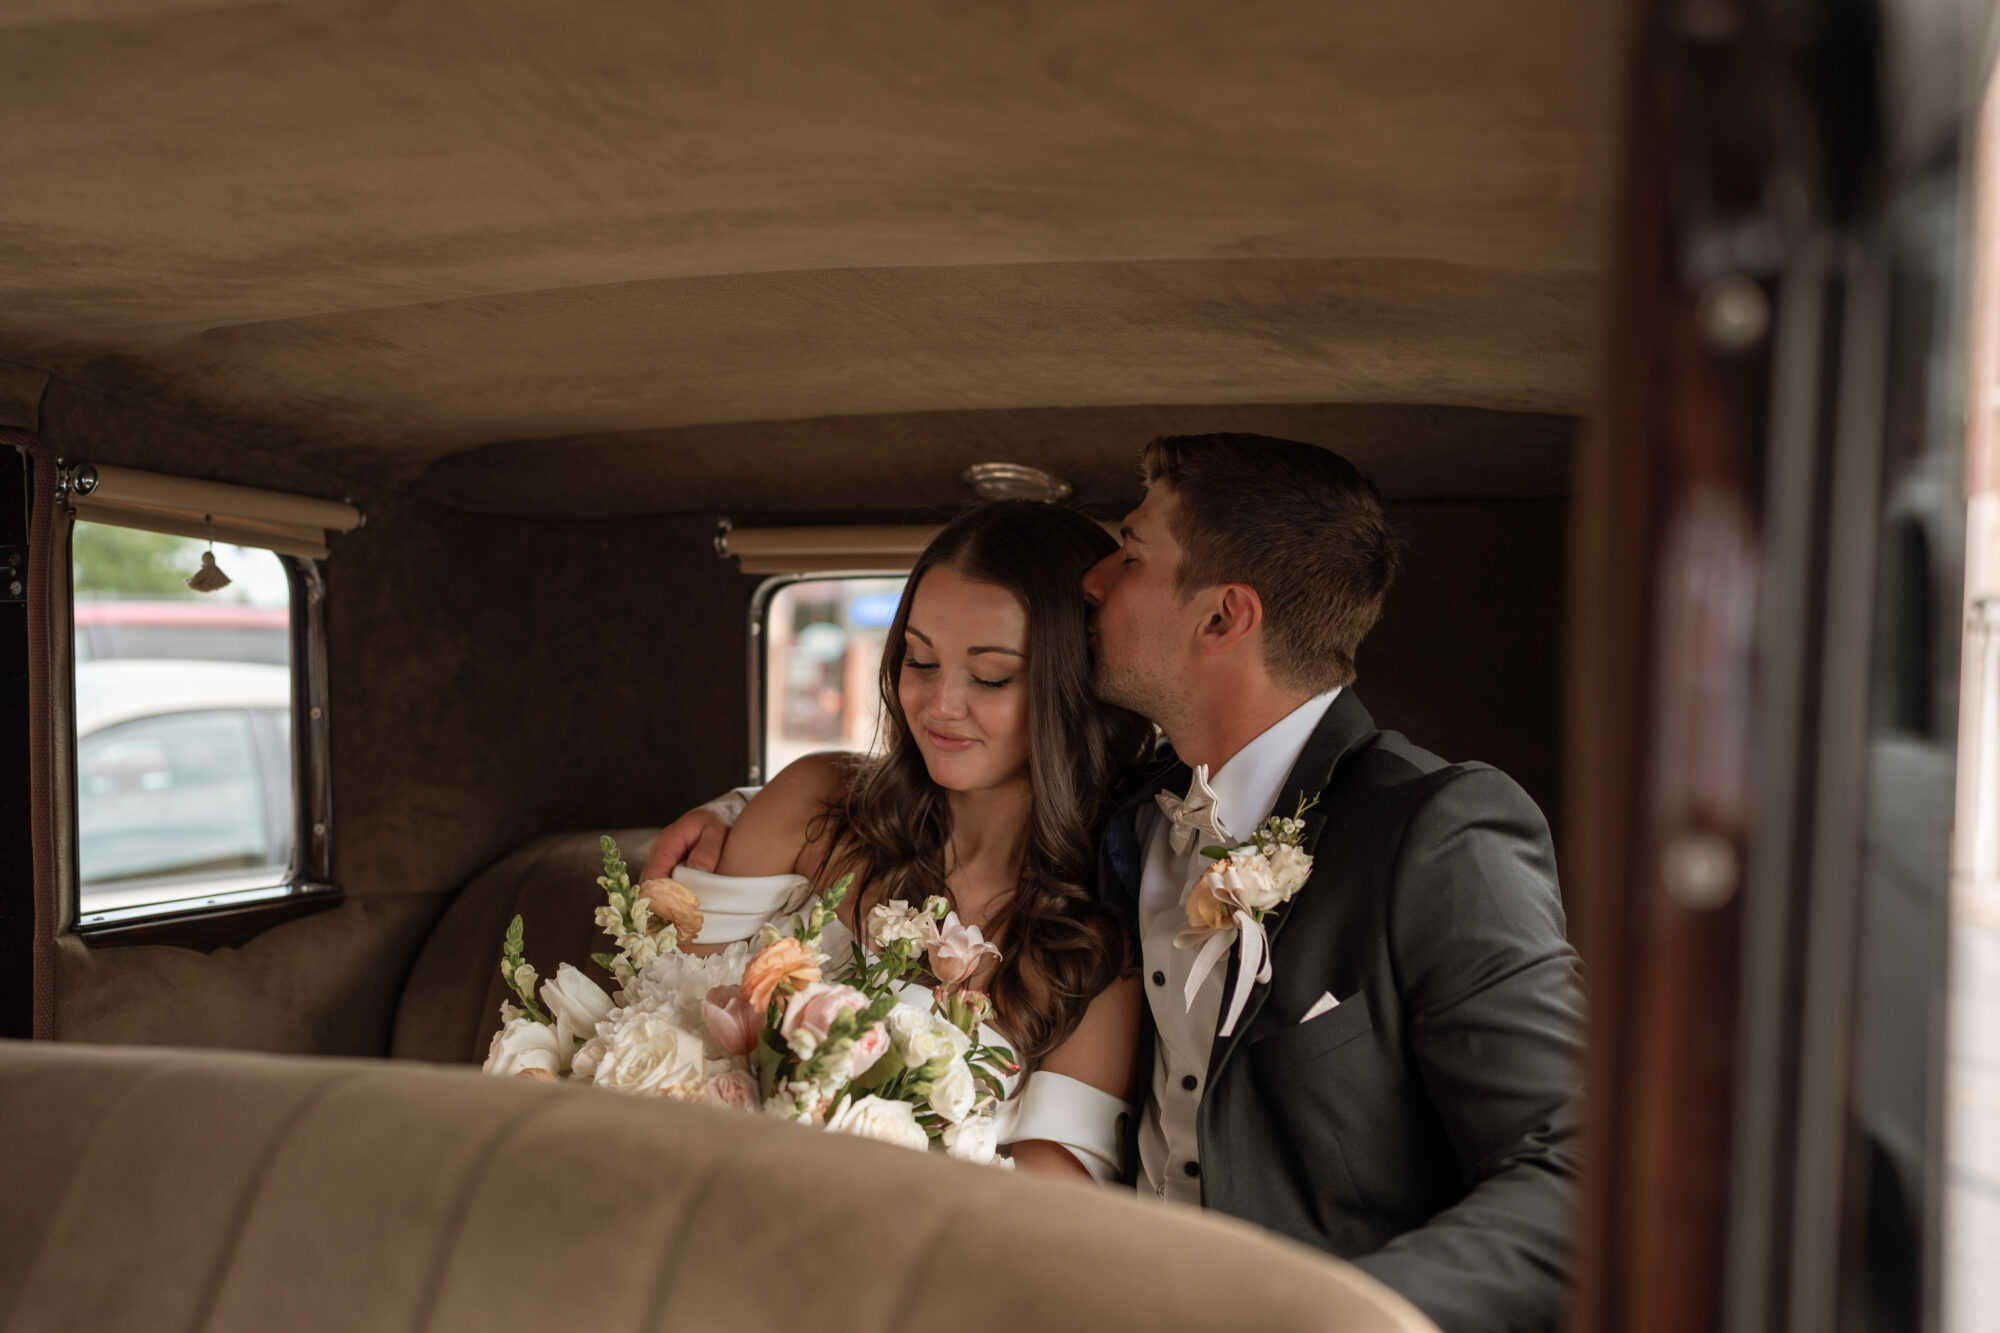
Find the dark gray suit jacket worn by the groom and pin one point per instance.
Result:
(1427, 1128)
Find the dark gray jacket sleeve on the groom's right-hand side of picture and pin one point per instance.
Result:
(1495, 1010)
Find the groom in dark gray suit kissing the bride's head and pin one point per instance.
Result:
(1403, 1090)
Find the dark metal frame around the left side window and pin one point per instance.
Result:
(229, 918)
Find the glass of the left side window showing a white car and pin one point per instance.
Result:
(183, 720)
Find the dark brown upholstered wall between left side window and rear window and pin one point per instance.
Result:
(491, 680)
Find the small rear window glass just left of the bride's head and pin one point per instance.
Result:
(823, 657)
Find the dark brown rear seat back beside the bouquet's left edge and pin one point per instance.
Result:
(451, 1004)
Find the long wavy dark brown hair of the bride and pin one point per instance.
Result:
(893, 828)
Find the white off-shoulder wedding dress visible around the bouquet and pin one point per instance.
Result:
(1041, 1106)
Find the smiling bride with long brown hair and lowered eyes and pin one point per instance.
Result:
(987, 792)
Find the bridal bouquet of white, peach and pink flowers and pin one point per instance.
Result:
(763, 1028)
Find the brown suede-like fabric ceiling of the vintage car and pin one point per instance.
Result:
(651, 257)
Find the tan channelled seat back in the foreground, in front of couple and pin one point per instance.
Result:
(221, 1194)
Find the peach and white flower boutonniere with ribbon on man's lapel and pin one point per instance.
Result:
(1229, 904)
